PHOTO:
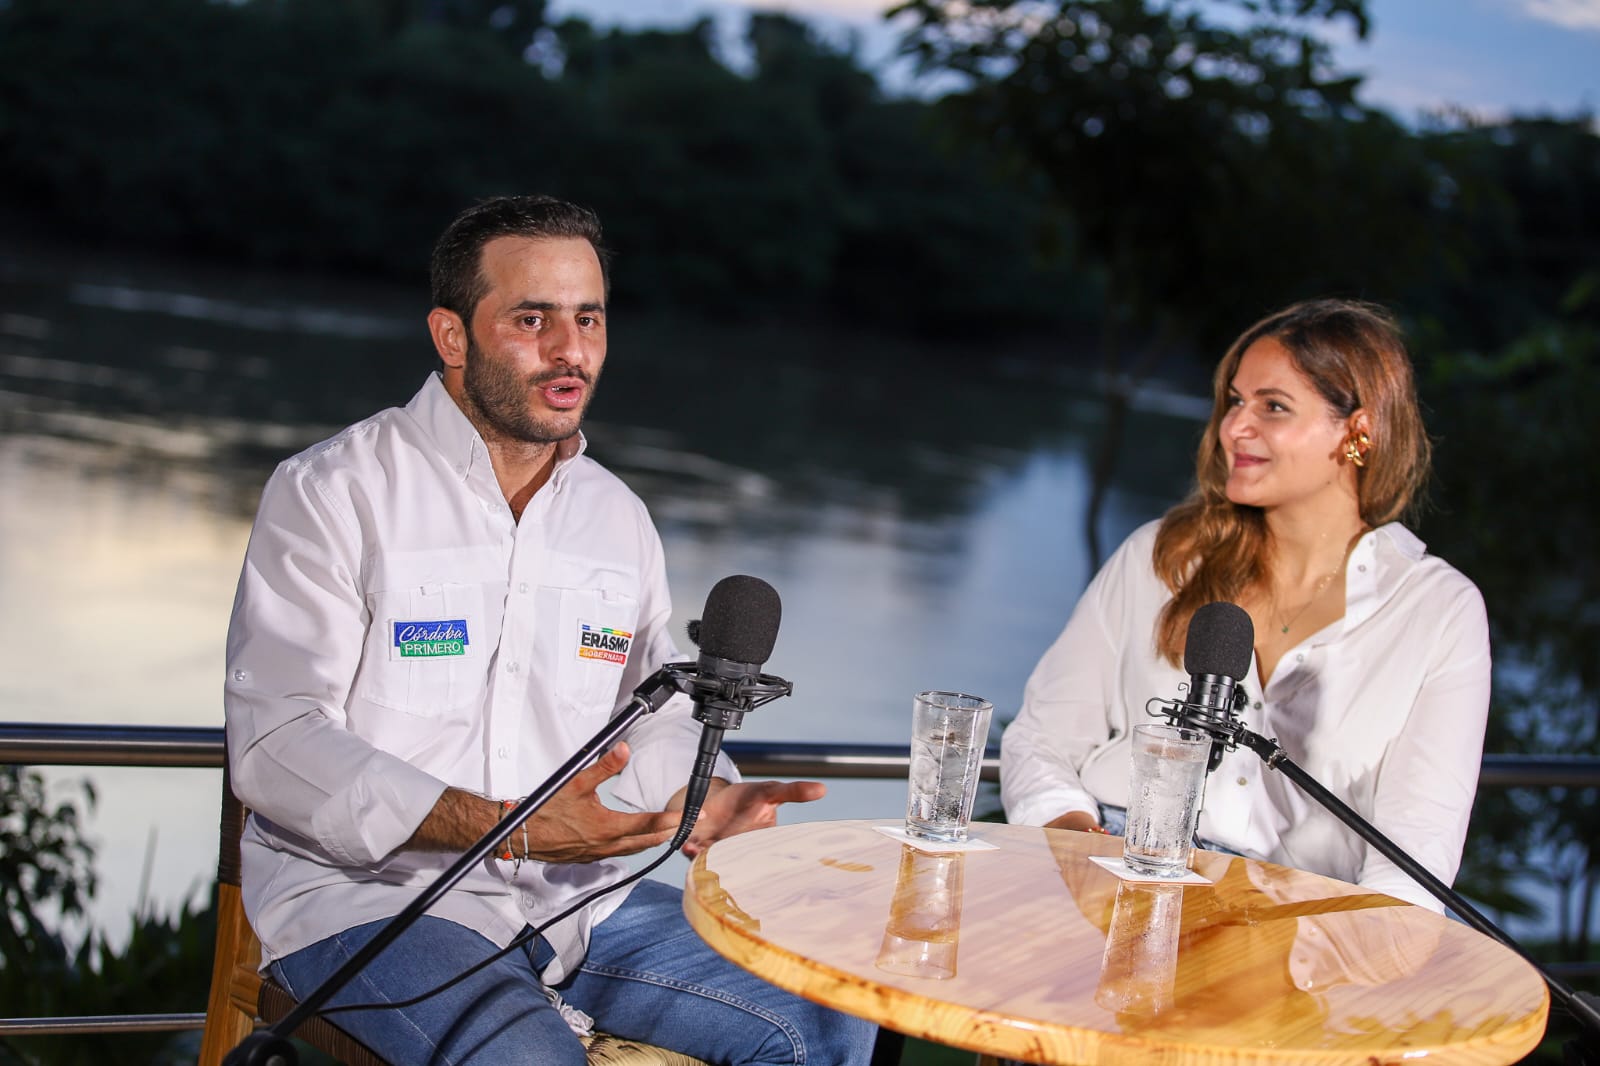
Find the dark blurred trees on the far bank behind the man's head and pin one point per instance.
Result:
(343, 137)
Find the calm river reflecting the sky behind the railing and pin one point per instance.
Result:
(919, 508)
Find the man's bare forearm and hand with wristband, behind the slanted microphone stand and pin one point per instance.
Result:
(575, 827)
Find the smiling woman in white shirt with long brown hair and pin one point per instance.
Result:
(1372, 659)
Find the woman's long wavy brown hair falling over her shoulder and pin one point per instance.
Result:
(1210, 548)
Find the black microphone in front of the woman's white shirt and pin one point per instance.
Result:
(1217, 655)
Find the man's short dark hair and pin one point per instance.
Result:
(457, 266)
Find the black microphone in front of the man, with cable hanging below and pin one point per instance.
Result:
(735, 636)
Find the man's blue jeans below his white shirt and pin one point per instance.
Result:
(647, 977)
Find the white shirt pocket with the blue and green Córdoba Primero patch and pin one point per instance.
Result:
(426, 649)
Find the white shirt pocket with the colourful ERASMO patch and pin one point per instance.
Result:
(594, 644)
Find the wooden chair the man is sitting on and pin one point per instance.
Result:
(241, 995)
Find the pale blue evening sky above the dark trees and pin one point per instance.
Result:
(1487, 57)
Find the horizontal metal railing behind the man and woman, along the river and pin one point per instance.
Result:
(57, 745)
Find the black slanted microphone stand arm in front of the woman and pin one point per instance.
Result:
(1230, 732)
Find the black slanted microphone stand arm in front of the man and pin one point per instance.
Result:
(271, 1046)
